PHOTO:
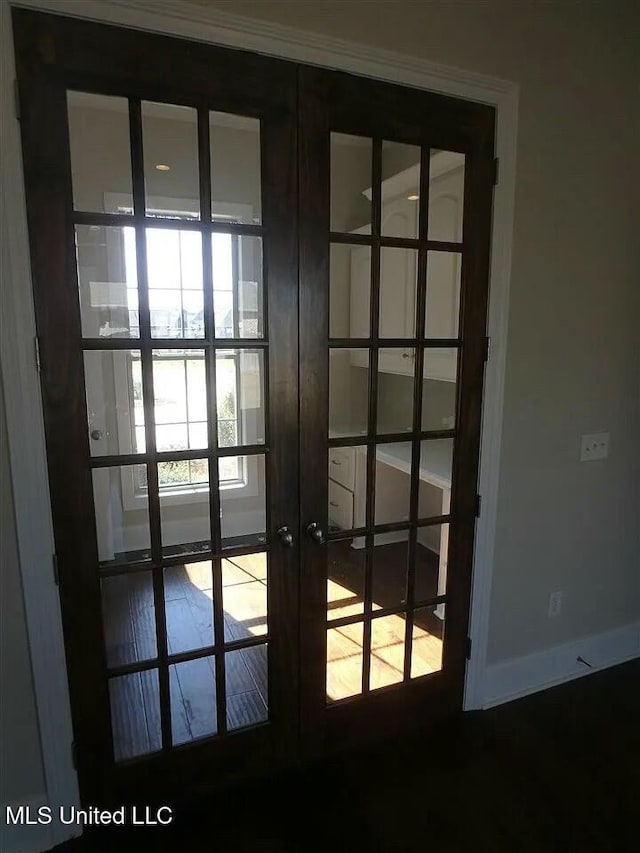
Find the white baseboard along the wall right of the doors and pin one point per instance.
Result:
(518, 677)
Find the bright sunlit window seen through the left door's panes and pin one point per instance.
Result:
(174, 264)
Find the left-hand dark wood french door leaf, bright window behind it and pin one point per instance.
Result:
(161, 178)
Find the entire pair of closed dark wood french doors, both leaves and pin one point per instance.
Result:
(260, 296)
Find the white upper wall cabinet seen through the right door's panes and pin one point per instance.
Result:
(398, 270)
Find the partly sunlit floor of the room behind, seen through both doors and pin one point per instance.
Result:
(129, 619)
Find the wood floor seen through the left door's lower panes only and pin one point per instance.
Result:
(129, 618)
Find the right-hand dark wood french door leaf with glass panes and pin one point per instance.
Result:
(395, 214)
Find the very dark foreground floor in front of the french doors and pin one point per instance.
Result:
(556, 772)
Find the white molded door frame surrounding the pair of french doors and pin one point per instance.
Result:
(21, 382)
